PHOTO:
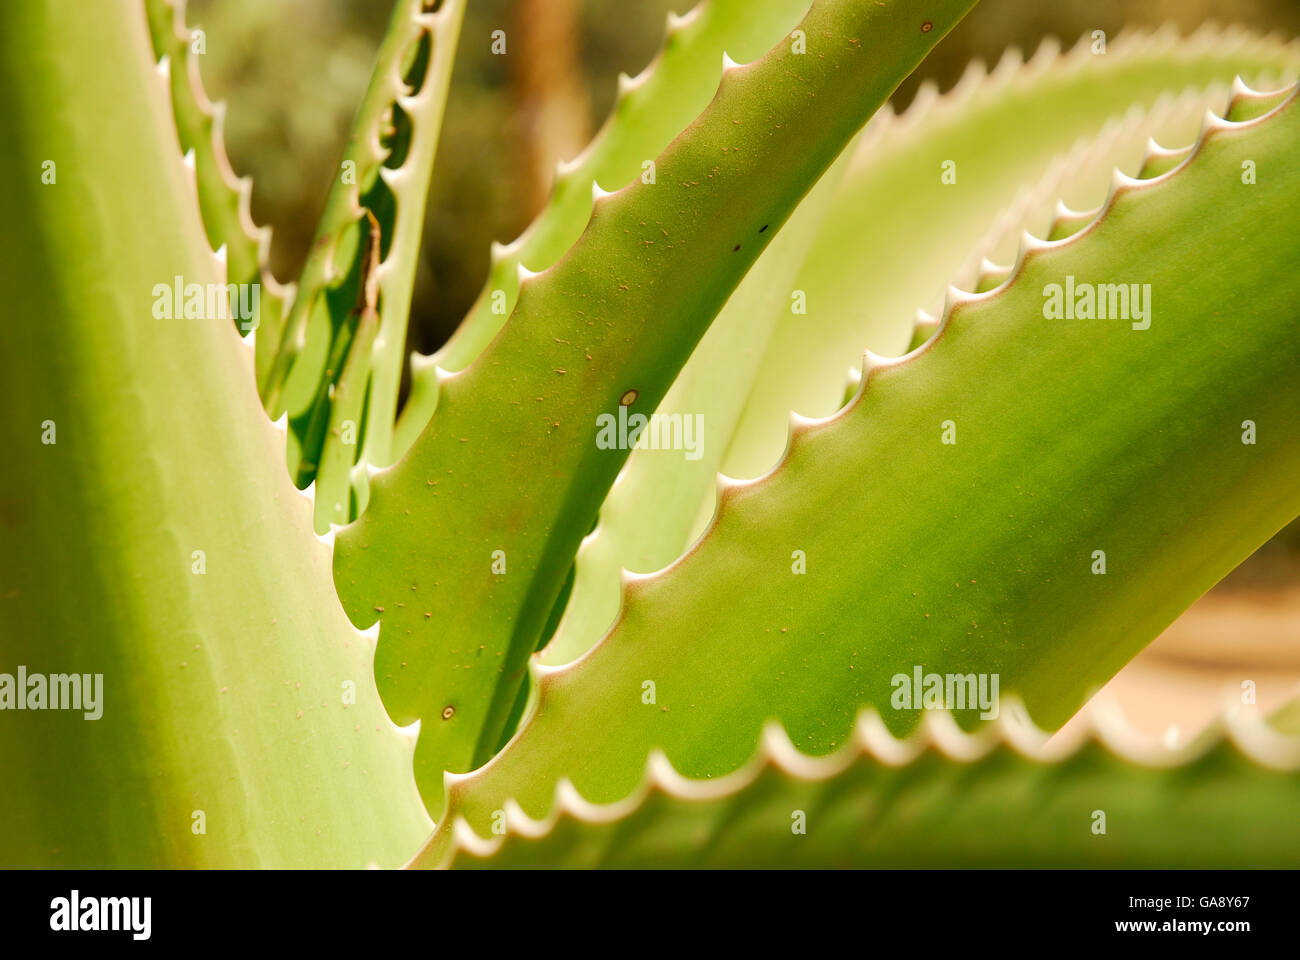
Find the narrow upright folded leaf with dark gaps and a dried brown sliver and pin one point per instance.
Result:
(385, 174)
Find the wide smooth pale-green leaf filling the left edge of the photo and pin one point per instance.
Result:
(151, 537)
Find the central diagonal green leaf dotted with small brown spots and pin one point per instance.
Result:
(605, 328)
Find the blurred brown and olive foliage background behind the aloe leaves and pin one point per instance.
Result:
(294, 71)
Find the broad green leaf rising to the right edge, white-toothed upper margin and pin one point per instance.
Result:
(1072, 438)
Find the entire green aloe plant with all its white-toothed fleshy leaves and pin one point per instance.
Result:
(500, 626)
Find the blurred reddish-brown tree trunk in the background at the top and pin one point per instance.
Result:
(549, 92)
